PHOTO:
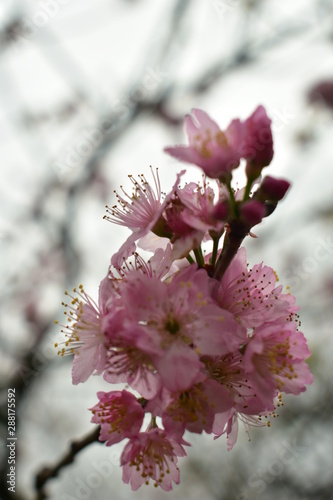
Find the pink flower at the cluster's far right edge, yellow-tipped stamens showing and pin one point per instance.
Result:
(275, 359)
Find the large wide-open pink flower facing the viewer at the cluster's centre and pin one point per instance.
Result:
(181, 322)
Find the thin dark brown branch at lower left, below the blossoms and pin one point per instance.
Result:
(48, 473)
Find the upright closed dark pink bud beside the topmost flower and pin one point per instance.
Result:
(258, 145)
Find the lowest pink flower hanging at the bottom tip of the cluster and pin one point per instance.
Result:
(151, 456)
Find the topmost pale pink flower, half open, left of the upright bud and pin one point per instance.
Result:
(215, 151)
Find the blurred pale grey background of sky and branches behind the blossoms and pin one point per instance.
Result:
(92, 90)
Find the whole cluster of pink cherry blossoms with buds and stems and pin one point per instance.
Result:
(199, 340)
